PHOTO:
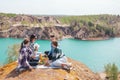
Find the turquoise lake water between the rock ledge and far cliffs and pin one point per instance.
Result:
(94, 54)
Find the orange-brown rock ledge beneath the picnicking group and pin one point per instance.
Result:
(79, 72)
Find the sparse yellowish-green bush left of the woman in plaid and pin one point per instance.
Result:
(13, 52)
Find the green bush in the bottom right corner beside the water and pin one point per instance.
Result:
(111, 71)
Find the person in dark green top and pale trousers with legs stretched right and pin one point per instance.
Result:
(58, 58)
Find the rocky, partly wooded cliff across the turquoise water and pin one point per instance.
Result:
(80, 27)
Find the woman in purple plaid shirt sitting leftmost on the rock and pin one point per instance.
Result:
(24, 55)
